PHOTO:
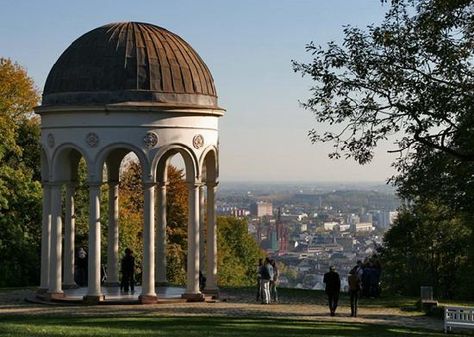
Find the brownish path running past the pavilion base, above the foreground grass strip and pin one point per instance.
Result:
(12, 303)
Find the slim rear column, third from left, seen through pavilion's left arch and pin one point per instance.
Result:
(69, 231)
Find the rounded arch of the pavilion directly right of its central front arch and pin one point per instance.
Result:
(161, 160)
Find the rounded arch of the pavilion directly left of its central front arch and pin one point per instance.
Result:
(65, 160)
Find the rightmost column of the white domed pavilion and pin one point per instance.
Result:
(211, 283)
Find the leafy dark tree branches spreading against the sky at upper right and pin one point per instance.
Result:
(411, 75)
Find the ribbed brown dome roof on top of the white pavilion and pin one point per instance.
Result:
(130, 62)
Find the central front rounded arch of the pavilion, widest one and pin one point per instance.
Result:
(113, 155)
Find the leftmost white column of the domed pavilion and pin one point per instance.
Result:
(45, 239)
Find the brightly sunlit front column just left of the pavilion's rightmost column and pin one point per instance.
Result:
(192, 286)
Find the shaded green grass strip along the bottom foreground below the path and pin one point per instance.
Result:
(136, 326)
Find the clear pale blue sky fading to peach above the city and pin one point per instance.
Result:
(248, 45)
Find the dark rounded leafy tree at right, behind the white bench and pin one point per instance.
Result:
(428, 245)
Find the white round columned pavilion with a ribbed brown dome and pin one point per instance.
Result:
(121, 88)
